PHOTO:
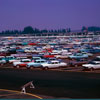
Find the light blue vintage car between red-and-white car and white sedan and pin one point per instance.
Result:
(36, 63)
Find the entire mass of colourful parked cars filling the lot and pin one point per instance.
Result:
(47, 53)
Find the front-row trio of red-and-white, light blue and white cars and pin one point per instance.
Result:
(41, 63)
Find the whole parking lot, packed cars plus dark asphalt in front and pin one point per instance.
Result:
(56, 67)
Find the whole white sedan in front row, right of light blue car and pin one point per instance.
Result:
(53, 64)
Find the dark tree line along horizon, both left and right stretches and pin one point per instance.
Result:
(29, 30)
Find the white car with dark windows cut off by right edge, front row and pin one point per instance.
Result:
(92, 65)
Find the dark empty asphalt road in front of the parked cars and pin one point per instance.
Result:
(57, 84)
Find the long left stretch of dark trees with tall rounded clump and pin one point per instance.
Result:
(30, 30)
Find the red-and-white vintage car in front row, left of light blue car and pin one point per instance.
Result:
(21, 63)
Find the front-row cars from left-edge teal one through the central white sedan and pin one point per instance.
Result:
(33, 62)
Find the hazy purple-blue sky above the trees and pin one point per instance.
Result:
(49, 14)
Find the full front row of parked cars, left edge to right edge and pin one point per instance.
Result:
(46, 63)
